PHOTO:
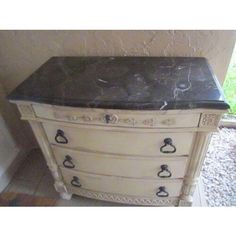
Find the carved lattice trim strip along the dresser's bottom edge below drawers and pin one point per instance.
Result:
(132, 200)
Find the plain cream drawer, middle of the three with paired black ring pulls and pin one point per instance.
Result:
(136, 167)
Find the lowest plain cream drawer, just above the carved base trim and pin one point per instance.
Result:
(120, 185)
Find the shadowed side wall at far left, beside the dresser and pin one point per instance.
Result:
(13, 141)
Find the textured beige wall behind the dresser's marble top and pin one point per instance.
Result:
(21, 52)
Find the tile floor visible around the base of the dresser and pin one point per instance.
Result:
(33, 177)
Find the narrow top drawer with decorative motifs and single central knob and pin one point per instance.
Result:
(119, 118)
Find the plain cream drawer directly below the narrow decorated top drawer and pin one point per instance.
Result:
(142, 142)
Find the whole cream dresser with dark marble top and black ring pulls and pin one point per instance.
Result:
(132, 130)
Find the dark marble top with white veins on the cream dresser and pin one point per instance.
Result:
(143, 83)
